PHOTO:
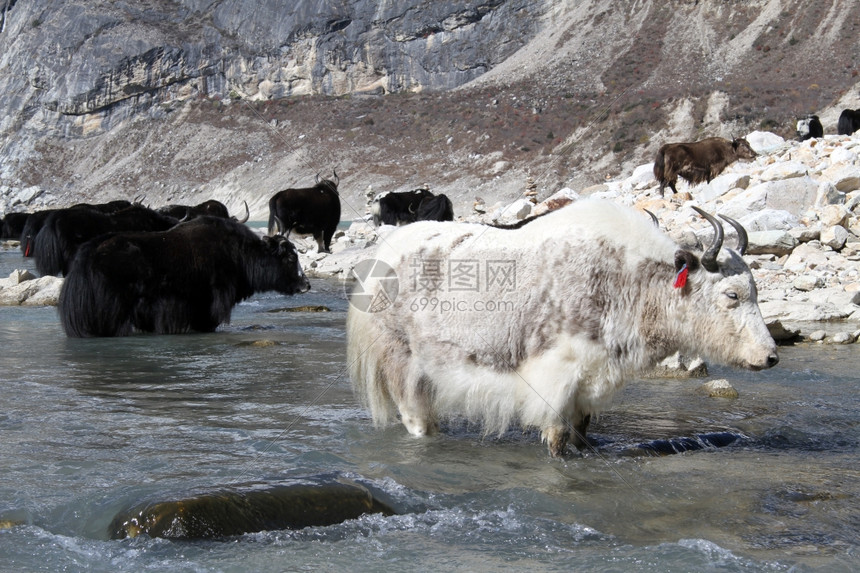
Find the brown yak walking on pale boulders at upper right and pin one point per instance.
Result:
(698, 162)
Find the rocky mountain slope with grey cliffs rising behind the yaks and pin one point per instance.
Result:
(185, 100)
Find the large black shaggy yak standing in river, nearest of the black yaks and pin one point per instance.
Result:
(186, 278)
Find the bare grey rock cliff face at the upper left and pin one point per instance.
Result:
(80, 58)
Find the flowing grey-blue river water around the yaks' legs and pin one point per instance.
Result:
(91, 427)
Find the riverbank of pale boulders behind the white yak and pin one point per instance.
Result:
(799, 202)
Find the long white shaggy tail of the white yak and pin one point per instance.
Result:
(366, 366)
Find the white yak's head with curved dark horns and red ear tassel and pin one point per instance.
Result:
(722, 312)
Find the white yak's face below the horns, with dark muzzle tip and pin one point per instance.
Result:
(729, 324)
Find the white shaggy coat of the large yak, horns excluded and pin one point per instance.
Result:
(593, 304)
